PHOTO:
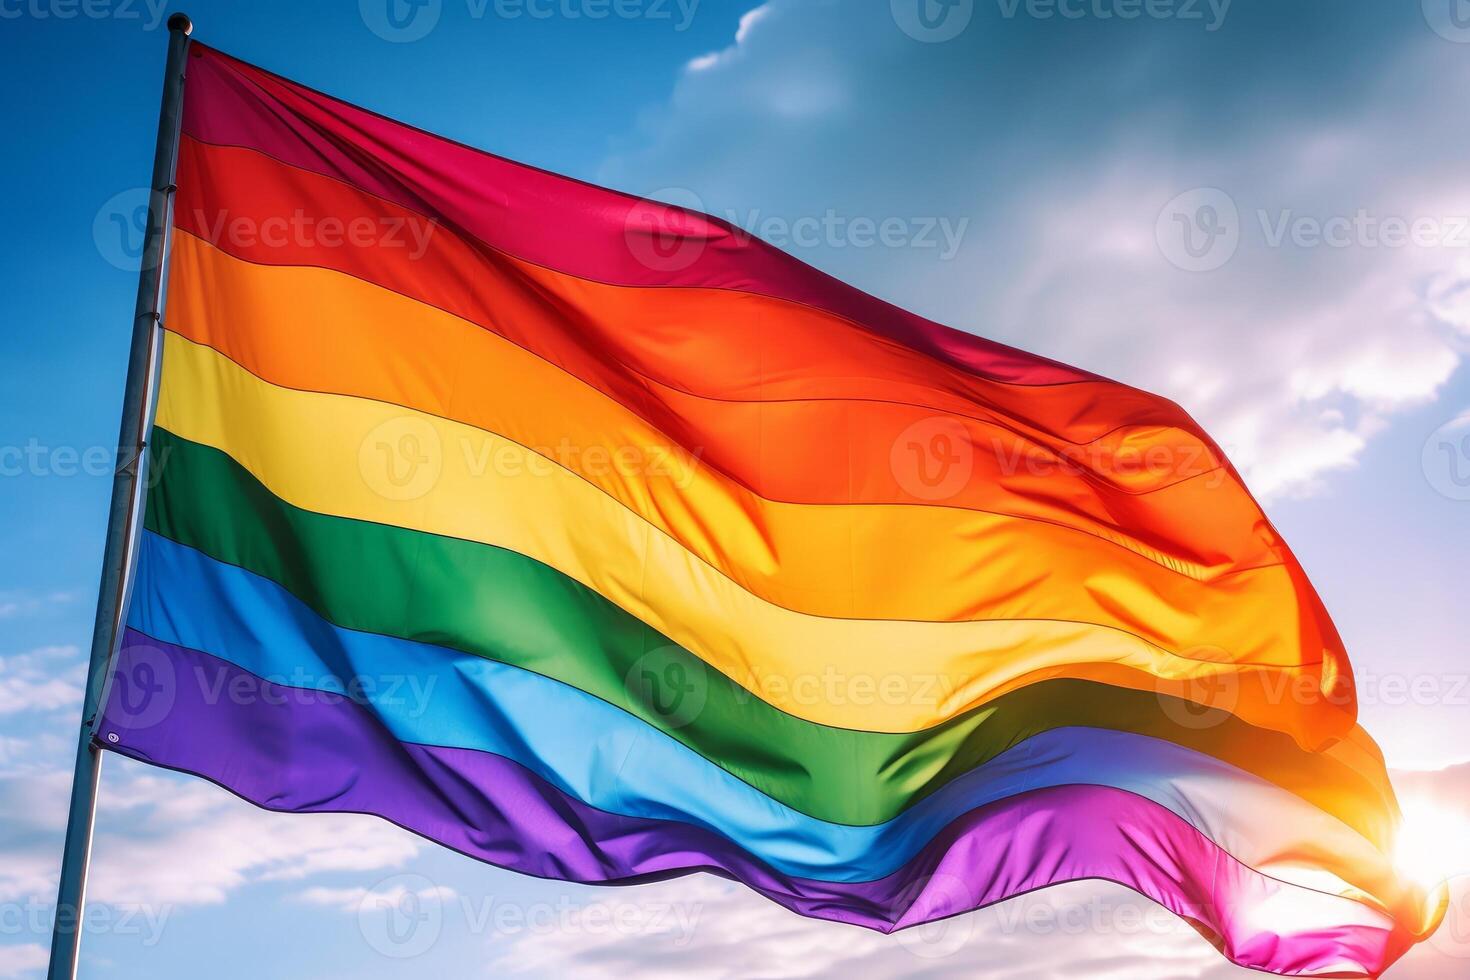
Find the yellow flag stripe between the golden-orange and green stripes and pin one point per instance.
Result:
(377, 462)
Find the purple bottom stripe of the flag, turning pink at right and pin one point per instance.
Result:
(308, 752)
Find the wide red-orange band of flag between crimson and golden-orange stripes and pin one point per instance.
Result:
(805, 415)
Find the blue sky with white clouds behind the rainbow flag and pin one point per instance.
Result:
(1040, 165)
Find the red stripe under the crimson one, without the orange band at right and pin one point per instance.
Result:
(715, 343)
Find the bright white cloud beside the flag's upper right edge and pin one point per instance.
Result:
(1291, 387)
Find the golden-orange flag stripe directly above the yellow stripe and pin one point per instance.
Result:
(323, 331)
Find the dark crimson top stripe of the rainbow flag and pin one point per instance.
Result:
(549, 220)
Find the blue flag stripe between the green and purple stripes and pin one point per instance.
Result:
(602, 754)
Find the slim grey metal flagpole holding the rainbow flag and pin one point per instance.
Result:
(137, 399)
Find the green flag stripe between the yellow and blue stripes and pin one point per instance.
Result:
(503, 606)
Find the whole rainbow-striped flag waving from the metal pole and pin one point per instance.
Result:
(600, 541)
